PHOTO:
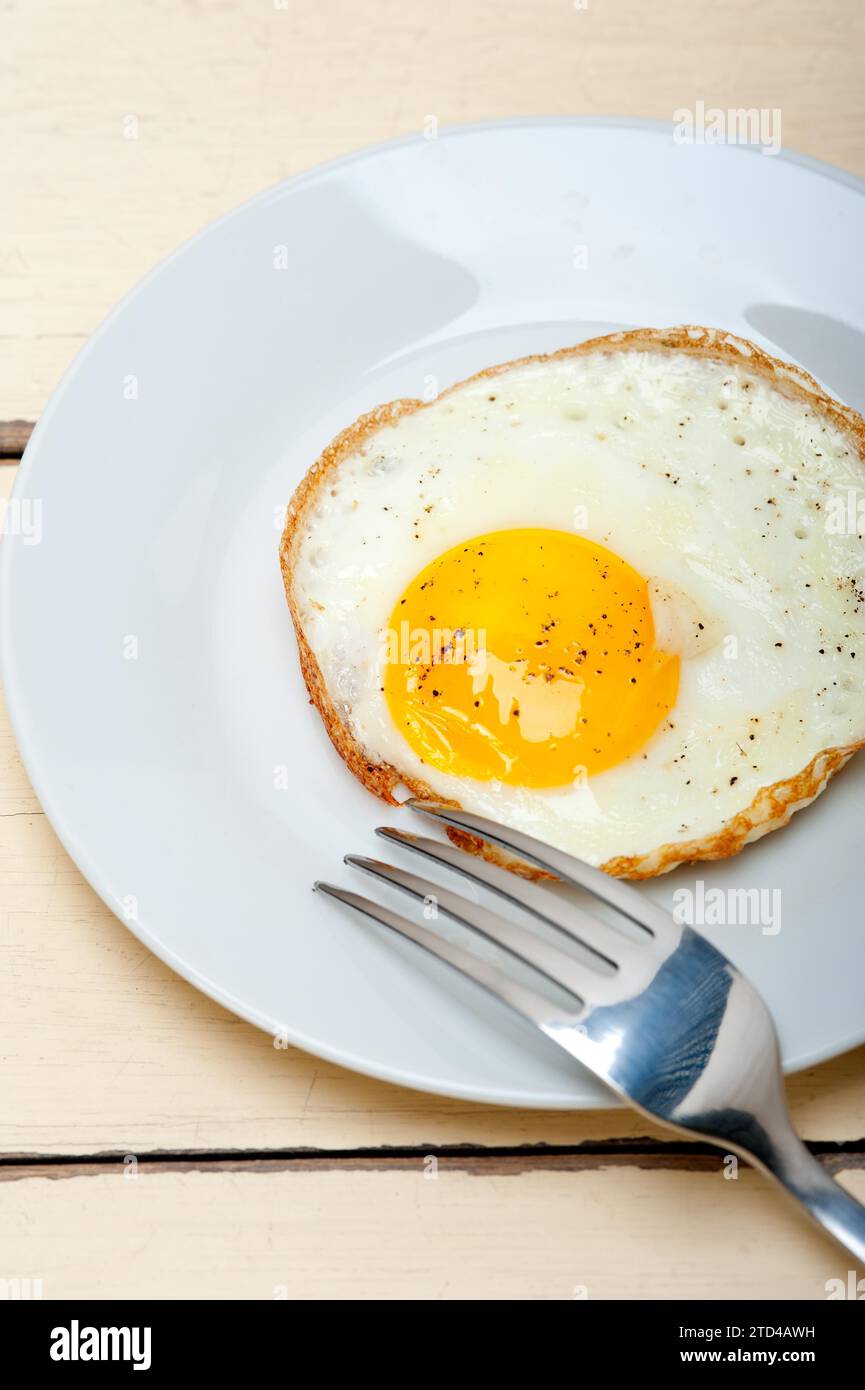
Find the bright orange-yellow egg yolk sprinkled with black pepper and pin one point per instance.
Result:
(528, 657)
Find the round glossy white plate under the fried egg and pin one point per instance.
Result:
(166, 454)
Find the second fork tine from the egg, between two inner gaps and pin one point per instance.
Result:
(590, 932)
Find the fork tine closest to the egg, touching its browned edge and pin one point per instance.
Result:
(614, 892)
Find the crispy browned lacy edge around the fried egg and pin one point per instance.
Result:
(774, 806)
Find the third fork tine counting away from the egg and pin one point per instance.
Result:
(558, 967)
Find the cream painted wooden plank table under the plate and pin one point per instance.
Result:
(152, 1145)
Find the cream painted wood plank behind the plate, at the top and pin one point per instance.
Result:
(129, 131)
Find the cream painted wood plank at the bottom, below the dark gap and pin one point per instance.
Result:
(546, 1235)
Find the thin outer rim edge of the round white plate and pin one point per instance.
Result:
(91, 871)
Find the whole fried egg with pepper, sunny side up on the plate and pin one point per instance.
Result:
(597, 597)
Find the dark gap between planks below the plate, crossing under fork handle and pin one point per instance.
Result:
(486, 1163)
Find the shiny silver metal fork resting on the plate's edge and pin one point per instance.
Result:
(658, 1014)
